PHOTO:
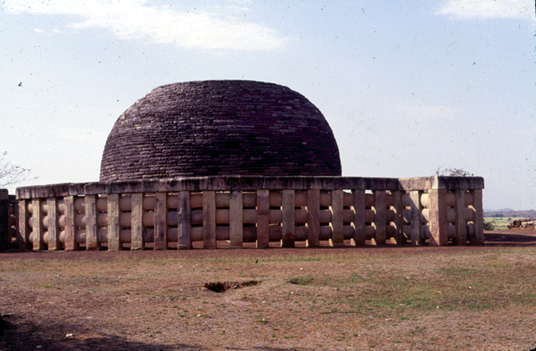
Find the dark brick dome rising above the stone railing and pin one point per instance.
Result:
(220, 128)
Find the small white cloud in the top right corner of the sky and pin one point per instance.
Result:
(487, 9)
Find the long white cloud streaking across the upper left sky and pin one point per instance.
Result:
(222, 28)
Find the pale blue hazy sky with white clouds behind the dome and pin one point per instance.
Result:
(407, 86)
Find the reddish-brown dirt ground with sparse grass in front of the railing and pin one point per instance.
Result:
(381, 298)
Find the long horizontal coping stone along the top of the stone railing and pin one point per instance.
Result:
(248, 183)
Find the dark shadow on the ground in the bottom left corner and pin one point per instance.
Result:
(28, 336)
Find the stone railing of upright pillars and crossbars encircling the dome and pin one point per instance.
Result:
(249, 211)
